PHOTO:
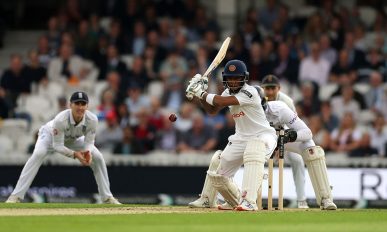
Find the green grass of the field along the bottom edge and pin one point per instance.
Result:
(312, 221)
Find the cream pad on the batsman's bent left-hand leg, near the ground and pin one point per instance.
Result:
(225, 186)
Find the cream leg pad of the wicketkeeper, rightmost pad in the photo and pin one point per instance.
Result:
(314, 158)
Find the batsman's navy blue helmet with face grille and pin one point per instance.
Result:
(235, 68)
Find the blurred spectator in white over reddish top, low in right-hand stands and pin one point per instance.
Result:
(346, 138)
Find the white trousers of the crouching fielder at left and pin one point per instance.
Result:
(43, 148)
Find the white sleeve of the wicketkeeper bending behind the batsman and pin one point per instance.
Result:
(294, 122)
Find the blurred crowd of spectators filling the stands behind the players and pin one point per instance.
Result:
(134, 58)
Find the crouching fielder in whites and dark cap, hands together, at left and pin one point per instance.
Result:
(71, 133)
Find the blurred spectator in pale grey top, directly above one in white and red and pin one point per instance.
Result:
(345, 103)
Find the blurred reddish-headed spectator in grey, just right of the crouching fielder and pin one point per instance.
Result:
(112, 134)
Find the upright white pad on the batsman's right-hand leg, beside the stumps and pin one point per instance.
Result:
(254, 161)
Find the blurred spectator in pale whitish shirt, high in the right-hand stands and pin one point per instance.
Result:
(313, 67)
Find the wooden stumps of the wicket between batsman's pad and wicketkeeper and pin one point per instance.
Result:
(280, 148)
